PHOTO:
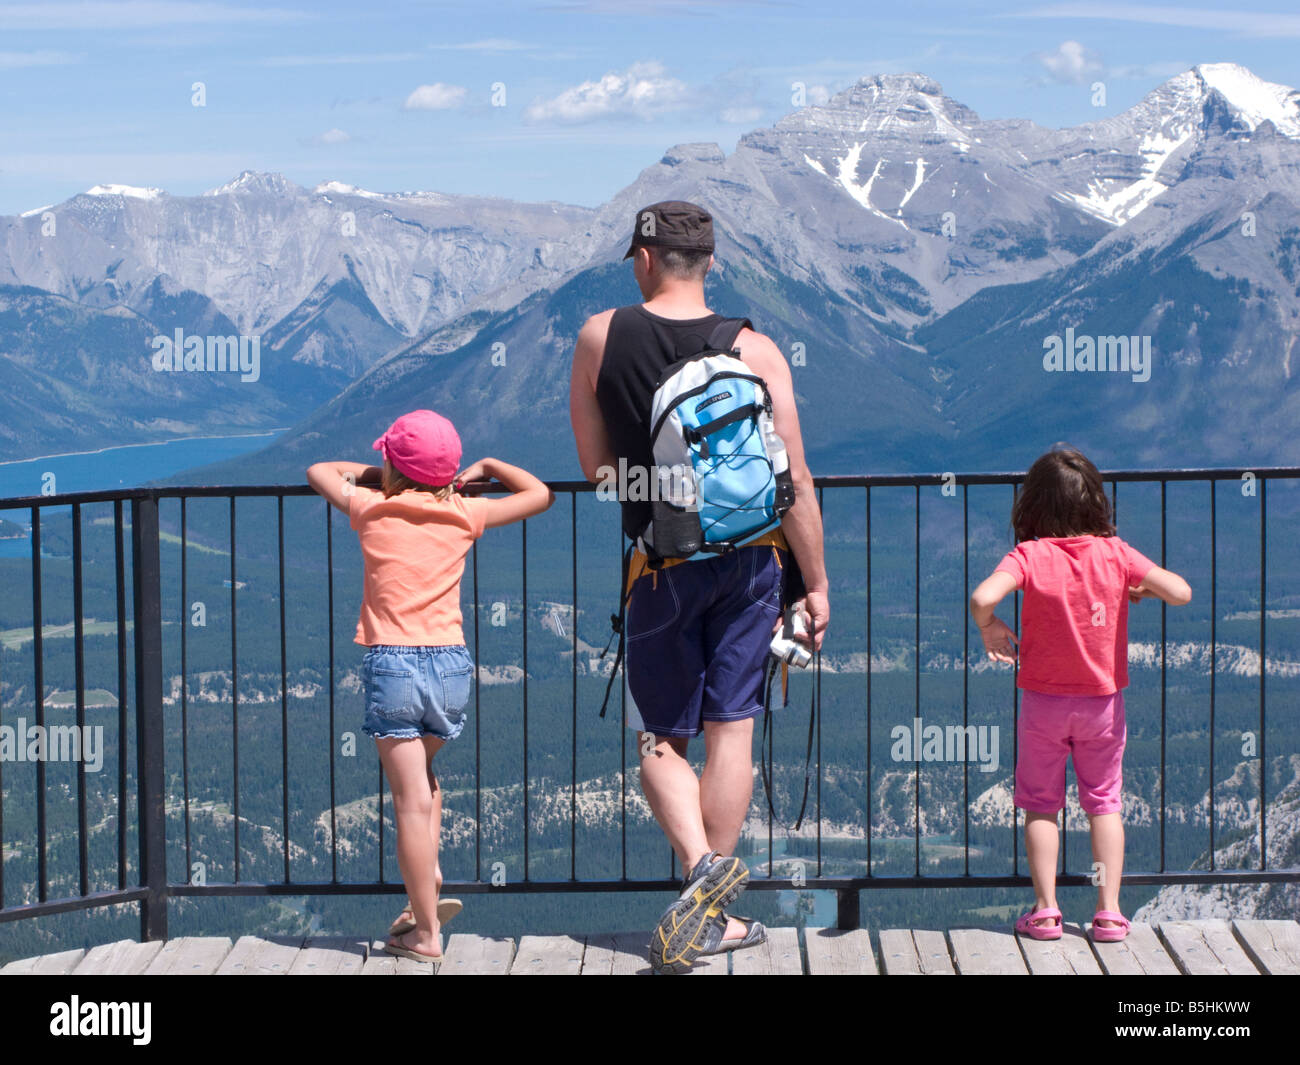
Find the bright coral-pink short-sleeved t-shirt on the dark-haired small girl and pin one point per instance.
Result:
(1074, 625)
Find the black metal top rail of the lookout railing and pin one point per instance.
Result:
(855, 480)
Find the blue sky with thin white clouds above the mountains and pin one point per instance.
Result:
(400, 96)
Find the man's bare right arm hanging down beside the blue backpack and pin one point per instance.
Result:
(803, 522)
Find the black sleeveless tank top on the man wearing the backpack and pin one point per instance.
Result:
(638, 349)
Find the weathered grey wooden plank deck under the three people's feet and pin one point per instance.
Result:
(1169, 949)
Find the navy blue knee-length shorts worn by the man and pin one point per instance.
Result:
(697, 638)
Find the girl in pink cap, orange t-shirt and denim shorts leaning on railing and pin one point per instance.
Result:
(415, 529)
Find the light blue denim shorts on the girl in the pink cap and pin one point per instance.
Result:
(414, 692)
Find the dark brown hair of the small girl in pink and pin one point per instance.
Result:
(1063, 496)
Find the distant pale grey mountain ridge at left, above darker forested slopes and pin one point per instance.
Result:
(261, 245)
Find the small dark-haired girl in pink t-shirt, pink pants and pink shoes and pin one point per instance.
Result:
(1078, 579)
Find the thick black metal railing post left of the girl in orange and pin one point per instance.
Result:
(148, 612)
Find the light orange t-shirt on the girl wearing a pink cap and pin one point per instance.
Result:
(414, 548)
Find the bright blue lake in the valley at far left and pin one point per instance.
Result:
(114, 467)
